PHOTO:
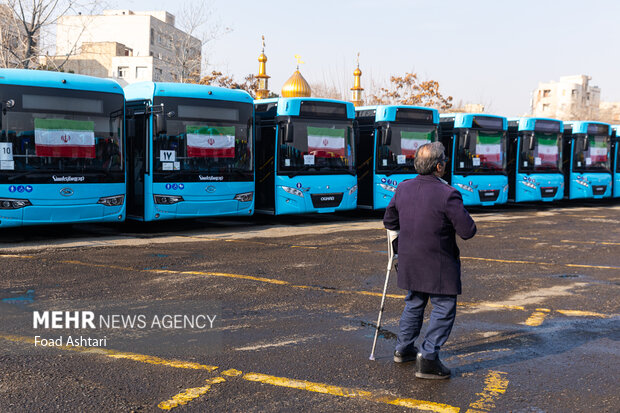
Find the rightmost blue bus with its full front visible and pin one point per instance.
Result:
(587, 161)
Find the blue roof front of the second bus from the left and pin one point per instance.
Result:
(148, 90)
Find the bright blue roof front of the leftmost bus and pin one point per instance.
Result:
(58, 80)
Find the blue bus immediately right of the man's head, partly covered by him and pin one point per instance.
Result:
(476, 146)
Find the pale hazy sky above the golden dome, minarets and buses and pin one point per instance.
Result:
(480, 51)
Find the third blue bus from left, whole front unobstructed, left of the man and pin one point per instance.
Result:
(305, 156)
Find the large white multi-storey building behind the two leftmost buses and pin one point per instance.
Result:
(128, 46)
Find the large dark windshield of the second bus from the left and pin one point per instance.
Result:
(203, 137)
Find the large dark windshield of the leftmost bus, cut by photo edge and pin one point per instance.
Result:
(47, 132)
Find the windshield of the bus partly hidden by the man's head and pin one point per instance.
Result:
(398, 156)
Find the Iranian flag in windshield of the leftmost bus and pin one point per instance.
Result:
(64, 138)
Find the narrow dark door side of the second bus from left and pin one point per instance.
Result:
(137, 158)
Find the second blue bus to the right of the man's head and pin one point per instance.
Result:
(535, 160)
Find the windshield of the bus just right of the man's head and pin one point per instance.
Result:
(481, 151)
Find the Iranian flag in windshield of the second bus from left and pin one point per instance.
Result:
(211, 142)
